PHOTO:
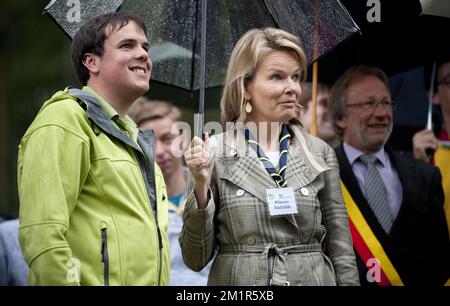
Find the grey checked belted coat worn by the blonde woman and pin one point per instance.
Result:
(249, 246)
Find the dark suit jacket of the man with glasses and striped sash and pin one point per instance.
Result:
(418, 244)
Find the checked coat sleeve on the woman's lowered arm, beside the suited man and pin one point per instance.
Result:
(338, 241)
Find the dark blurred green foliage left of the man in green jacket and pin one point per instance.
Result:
(34, 62)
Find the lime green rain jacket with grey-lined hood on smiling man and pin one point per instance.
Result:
(88, 198)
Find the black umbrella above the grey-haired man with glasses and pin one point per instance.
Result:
(404, 38)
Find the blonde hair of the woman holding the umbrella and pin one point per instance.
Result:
(246, 56)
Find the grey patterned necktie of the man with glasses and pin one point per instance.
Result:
(376, 193)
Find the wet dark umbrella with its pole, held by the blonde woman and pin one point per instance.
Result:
(179, 23)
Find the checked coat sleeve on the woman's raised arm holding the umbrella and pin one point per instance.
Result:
(197, 238)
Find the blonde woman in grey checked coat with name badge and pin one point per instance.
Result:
(232, 215)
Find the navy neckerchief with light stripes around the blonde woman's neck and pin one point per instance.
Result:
(277, 175)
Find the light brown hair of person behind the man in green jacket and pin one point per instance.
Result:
(144, 109)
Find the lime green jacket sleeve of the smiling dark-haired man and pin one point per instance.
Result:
(52, 168)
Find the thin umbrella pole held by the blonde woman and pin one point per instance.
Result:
(201, 107)
